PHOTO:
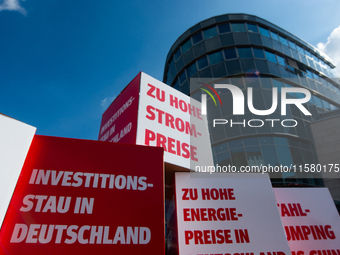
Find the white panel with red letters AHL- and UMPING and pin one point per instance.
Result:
(310, 219)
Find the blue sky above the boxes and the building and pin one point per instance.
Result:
(63, 62)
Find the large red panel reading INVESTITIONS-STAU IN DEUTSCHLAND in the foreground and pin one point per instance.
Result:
(86, 197)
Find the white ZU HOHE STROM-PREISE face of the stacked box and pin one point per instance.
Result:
(170, 119)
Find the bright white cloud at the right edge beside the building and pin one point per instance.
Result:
(332, 48)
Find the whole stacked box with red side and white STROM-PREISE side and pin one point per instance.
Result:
(166, 118)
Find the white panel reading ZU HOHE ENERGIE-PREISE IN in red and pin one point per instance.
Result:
(228, 214)
